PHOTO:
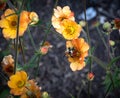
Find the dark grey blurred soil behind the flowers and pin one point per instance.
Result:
(55, 75)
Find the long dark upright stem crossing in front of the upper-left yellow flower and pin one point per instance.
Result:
(16, 45)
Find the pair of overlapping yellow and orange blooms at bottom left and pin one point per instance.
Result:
(20, 85)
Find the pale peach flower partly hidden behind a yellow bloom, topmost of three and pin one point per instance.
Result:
(59, 15)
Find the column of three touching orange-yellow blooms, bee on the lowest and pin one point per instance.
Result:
(63, 21)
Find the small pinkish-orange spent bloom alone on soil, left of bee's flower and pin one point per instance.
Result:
(46, 46)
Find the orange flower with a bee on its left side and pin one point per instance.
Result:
(77, 50)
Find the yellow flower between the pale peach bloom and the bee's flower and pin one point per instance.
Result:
(70, 29)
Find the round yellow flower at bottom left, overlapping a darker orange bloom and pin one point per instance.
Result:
(18, 82)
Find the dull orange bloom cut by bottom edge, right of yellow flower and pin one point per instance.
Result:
(32, 91)
